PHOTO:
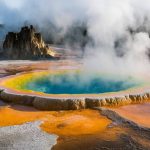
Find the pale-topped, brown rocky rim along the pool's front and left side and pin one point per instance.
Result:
(44, 101)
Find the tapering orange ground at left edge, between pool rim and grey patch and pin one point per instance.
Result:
(14, 115)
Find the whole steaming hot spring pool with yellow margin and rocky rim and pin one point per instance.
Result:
(71, 90)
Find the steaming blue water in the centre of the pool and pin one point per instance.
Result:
(78, 84)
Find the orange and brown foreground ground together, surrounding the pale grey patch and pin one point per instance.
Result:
(81, 129)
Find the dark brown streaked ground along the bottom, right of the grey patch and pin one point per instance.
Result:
(125, 139)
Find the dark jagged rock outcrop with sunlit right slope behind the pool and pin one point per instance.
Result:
(27, 44)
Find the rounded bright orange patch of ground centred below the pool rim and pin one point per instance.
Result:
(75, 123)
